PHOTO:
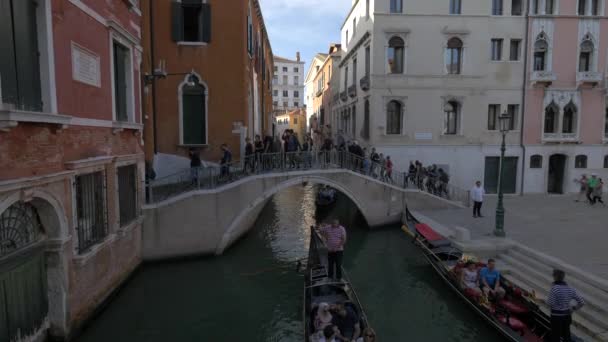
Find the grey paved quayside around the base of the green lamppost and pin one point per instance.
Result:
(576, 233)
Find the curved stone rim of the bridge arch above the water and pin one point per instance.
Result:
(238, 226)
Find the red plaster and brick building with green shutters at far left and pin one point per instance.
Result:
(71, 160)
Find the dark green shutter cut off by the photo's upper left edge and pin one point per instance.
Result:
(8, 69)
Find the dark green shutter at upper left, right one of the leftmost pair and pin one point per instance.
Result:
(26, 54)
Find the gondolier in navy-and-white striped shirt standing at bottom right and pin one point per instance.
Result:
(559, 300)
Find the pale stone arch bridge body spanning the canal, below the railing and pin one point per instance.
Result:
(208, 221)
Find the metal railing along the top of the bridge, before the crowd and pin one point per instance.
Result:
(212, 177)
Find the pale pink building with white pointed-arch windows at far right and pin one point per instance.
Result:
(566, 118)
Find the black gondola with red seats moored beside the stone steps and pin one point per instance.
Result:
(516, 316)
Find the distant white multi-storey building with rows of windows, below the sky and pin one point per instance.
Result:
(288, 84)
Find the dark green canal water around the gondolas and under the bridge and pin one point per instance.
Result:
(253, 293)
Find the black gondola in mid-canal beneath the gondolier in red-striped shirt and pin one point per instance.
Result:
(319, 288)
